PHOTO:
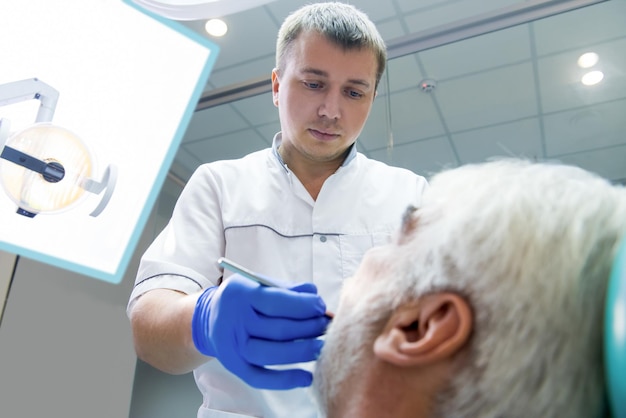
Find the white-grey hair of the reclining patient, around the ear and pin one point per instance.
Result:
(530, 245)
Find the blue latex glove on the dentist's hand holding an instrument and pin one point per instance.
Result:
(247, 326)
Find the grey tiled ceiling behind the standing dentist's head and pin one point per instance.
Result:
(512, 92)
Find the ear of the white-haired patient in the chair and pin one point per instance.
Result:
(434, 328)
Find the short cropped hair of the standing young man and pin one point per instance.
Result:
(341, 23)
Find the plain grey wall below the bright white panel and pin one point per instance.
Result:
(65, 342)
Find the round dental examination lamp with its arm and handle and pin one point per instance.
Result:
(44, 167)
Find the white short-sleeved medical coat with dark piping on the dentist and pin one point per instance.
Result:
(256, 212)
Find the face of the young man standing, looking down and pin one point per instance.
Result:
(324, 94)
